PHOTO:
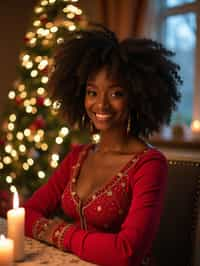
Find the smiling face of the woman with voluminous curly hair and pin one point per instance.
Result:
(106, 103)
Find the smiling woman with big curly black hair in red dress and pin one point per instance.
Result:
(113, 191)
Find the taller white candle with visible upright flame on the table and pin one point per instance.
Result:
(15, 221)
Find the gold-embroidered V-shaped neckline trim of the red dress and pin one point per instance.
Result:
(92, 196)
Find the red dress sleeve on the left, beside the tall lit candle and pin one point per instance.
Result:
(45, 200)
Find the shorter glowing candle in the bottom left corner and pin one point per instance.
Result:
(6, 251)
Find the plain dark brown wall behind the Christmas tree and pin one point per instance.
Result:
(15, 17)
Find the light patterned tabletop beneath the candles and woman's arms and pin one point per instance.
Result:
(37, 253)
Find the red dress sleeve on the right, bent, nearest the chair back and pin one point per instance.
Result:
(130, 245)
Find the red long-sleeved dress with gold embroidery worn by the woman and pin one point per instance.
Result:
(117, 223)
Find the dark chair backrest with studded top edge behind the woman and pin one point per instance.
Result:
(177, 240)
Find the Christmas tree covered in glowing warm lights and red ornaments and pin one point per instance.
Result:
(34, 138)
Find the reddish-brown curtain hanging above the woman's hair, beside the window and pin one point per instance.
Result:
(126, 17)
